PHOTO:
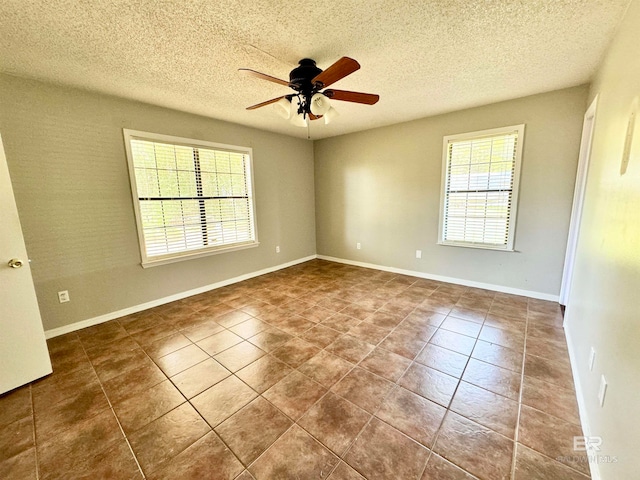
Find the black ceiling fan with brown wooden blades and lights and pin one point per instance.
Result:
(309, 101)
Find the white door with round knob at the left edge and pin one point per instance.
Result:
(23, 348)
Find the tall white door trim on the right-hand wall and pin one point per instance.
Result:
(588, 127)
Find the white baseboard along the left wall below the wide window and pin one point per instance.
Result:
(54, 332)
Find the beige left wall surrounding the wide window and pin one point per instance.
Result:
(66, 158)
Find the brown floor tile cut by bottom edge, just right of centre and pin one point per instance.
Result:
(382, 452)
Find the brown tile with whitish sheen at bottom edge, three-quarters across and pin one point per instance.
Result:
(480, 451)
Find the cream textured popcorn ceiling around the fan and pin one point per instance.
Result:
(422, 57)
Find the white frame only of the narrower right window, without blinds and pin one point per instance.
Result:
(511, 223)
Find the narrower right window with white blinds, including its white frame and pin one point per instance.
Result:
(480, 176)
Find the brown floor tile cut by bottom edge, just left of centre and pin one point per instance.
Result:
(311, 459)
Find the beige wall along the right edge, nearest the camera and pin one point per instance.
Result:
(604, 307)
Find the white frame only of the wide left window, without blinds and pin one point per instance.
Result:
(150, 261)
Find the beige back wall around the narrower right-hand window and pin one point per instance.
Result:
(382, 188)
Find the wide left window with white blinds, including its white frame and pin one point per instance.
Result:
(191, 198)
